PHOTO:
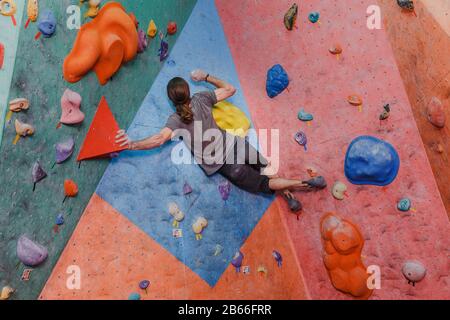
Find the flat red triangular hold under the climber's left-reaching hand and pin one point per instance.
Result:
(100, 140)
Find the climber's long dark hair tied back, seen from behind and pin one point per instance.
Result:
(180, 94)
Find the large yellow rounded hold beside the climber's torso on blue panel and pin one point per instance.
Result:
(231, 119)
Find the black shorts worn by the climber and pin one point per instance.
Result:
(246, 174)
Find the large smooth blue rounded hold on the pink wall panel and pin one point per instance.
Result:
(371, 161)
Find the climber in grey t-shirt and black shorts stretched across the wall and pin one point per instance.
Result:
(193, 118)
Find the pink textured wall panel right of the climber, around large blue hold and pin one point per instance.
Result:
(321, 83)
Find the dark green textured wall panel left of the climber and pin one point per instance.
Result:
(37, 76)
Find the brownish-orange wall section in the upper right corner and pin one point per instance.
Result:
(422, 59)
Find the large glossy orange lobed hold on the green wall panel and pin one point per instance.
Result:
(102, 45)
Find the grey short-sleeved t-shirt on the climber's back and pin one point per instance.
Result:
(209, 144)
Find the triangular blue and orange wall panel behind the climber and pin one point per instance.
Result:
(131, 204)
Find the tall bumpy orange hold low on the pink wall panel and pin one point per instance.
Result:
(343, 244)
